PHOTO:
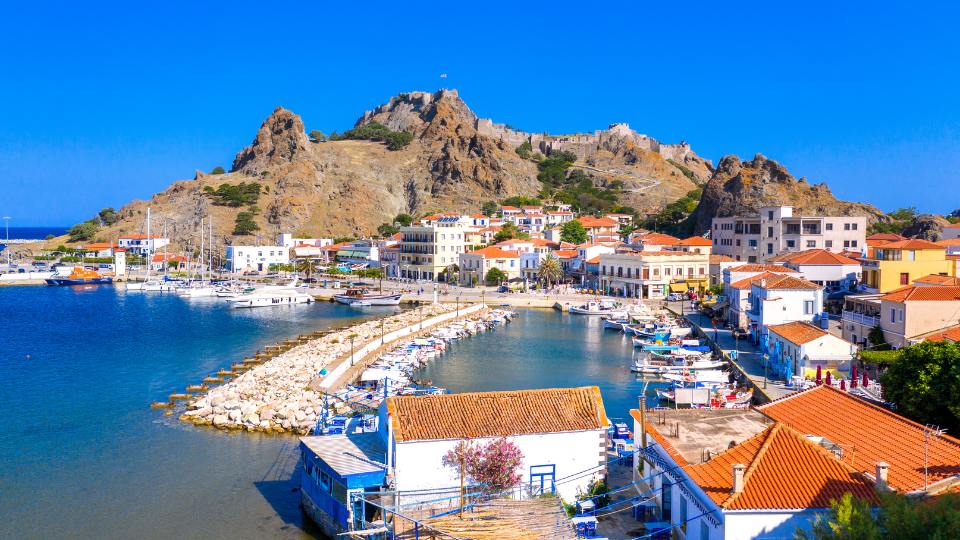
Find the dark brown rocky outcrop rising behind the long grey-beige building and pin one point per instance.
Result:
(740, 188)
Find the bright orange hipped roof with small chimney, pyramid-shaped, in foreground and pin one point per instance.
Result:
(784, 470)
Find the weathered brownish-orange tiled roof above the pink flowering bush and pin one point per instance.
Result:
(496, 414)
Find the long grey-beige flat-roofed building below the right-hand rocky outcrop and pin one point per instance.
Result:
(776, 230)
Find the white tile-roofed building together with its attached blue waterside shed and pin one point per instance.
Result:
(561, 432)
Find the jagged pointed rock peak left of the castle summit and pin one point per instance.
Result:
(279, 140)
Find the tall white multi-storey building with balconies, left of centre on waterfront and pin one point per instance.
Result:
(427, 250)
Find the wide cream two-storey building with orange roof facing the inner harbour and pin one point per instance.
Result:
(652, 274)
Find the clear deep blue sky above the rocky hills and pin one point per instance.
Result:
(101, 103)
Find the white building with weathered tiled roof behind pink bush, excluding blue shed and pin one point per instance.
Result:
(419, 430)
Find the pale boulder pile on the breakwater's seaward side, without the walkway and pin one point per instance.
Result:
(275, 396)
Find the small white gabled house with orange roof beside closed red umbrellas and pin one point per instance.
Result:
(797, 349)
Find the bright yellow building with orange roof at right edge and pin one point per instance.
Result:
(897, 264)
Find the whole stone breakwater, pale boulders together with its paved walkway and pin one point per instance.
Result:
(286, 389)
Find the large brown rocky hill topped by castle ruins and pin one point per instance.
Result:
(455, 162)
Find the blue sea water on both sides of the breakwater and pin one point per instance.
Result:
(82, 455)
